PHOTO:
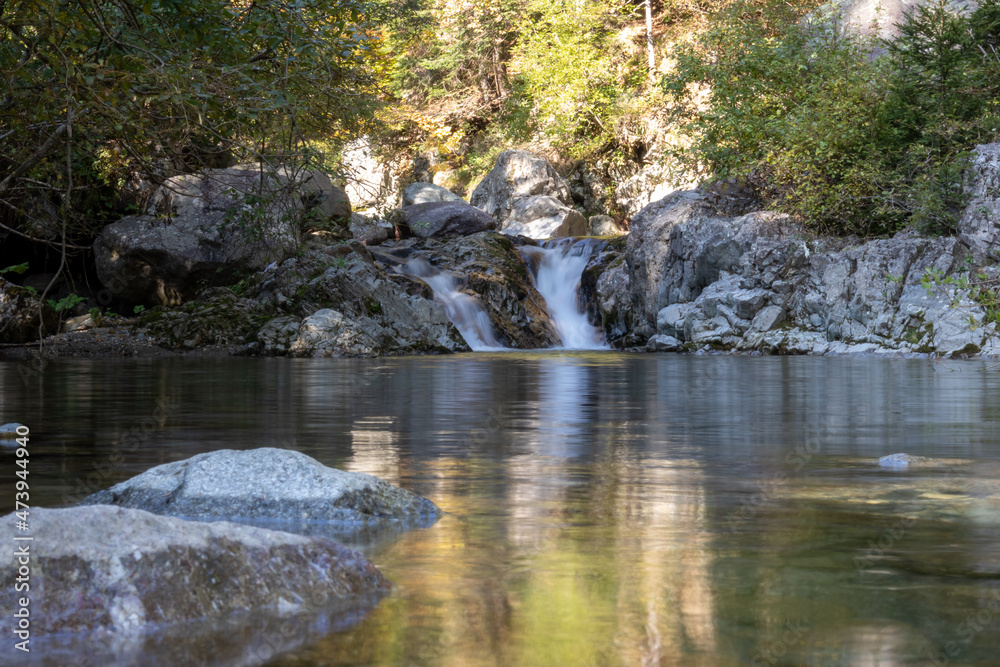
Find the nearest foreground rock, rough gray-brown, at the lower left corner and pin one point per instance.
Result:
(110, 570)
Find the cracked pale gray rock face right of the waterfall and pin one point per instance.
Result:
(760, 282)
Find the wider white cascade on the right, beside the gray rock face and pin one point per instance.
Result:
(556, 268)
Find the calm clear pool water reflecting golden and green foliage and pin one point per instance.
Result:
(604, 508)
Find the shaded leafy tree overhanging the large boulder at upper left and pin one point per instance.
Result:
(94, 92)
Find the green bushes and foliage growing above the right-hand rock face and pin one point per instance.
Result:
(825, 129)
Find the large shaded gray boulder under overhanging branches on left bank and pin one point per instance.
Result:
(208, 228)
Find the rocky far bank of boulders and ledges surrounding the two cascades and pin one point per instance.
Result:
(316, 280)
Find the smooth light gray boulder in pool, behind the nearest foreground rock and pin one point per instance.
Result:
(265, 483)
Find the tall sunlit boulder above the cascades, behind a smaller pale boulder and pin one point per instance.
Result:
(518, 174)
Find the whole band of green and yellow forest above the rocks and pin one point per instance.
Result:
(851, 134)
